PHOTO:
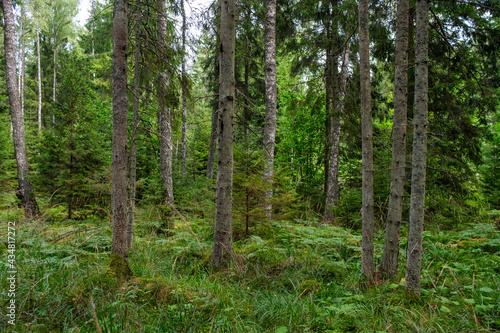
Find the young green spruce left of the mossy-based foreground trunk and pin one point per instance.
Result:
(73, 159)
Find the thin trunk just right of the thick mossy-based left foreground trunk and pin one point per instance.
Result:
(133, 143)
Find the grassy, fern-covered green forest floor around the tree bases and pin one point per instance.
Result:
(299, 276)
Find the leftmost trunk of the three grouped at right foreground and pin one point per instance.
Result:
(367, 267)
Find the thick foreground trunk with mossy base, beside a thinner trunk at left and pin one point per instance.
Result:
(119, 250)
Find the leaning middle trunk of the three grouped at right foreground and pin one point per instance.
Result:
(389, 264)
